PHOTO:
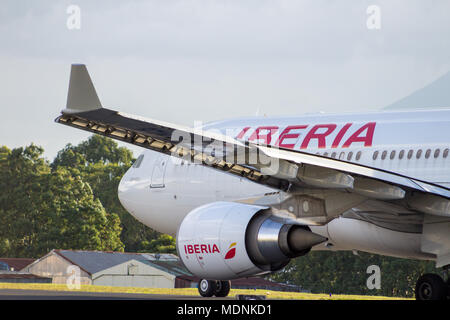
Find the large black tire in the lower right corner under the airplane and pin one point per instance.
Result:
(431, 287)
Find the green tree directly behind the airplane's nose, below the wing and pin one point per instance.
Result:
(101, 163)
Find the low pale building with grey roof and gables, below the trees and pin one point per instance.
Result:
(110, 268)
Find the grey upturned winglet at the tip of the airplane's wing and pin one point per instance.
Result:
(82, 96)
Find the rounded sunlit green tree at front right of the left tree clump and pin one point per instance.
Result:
(74, 219)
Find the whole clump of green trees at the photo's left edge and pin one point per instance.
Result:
(41, 210)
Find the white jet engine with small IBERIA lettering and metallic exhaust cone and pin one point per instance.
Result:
(227, 240)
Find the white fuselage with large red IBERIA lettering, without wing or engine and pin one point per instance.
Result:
(160, 190)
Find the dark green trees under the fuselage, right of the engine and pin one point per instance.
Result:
(343, 272)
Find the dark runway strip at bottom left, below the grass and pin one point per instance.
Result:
(17, 294)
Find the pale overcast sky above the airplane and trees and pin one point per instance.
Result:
(182, 61)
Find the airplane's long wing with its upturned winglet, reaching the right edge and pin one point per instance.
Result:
(283, 169)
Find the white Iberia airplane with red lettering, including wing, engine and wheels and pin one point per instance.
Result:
(245, 196)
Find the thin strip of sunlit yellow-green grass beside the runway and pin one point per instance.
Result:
(192, 292)
